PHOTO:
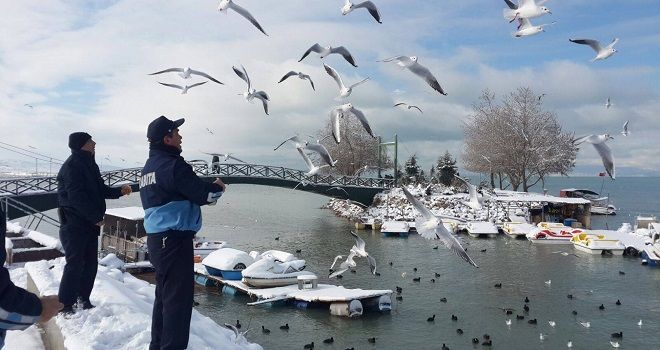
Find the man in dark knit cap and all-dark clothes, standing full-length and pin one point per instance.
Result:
(81, 196)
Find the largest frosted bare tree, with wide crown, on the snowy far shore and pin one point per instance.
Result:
(517, 141)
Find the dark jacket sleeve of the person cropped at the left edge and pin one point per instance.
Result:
(18, 308)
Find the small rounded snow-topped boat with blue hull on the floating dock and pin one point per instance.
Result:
(227, 263)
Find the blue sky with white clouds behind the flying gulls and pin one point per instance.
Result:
(84, 67)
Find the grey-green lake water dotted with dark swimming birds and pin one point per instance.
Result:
(250, 217)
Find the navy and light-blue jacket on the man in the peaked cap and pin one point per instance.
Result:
(172, 193)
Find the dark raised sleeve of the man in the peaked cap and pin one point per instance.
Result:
(192, 187)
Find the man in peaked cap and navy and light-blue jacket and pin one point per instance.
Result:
(171, 195)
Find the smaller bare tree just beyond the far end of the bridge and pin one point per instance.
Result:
(356, 150)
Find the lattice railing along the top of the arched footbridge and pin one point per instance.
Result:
(18, 186)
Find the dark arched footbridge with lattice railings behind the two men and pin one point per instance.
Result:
(40, 193)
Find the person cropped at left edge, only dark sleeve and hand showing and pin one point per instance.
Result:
(19, 309)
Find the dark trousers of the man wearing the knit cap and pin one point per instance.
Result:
(80, 243)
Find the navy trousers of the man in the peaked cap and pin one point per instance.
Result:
(172, 258)
